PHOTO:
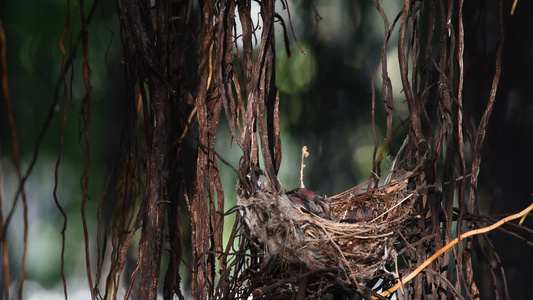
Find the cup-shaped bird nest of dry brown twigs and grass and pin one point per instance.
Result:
(356, 241)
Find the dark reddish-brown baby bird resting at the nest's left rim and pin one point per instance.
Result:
(311, 202)
